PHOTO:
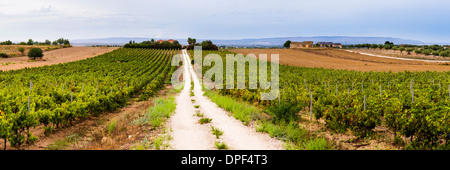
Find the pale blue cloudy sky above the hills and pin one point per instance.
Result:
(424, 20)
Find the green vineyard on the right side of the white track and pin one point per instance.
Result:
(413, 105)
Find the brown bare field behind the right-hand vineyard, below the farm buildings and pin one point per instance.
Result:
(339, 59)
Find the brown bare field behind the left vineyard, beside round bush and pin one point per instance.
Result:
(54, 57)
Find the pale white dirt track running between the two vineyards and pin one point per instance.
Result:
(189, 133)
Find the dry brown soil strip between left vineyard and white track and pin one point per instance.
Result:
(92, 133)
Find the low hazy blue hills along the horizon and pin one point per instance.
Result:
(263, 42)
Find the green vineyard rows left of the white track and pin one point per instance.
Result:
(55, 96)
